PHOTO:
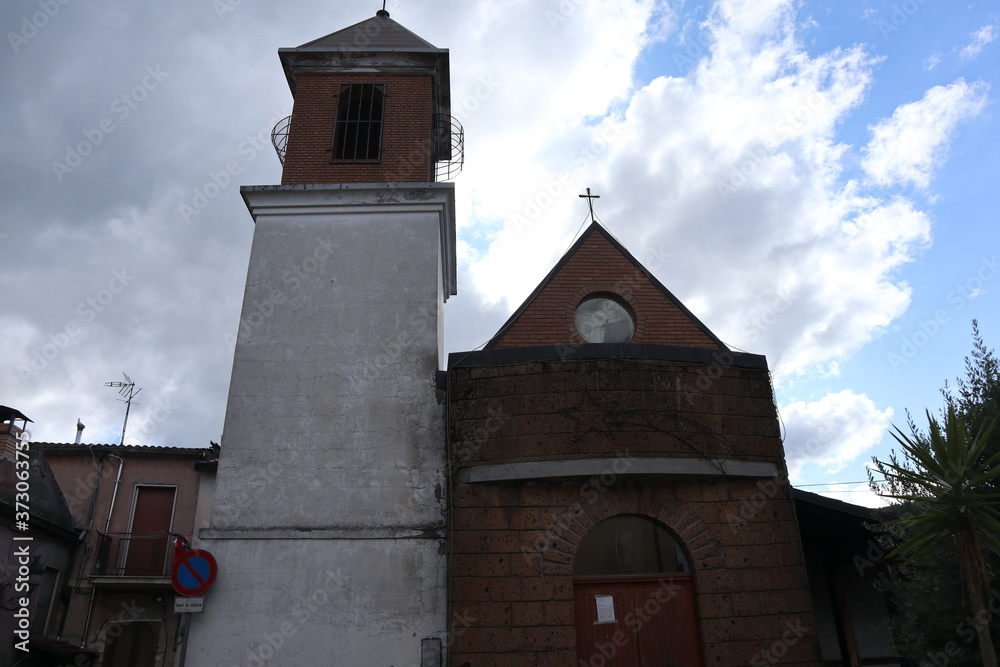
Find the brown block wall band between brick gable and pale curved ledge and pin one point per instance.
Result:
(551, 410)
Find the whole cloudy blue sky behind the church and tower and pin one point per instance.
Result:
(815, 180)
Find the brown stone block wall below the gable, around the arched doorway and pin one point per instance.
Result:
(513, 543)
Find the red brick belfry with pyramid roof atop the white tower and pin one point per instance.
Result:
(372, 105)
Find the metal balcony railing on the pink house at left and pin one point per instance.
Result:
(134, 554)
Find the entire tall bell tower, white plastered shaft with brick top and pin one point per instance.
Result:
(328, 521)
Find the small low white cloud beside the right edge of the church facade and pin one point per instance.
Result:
(831, 432)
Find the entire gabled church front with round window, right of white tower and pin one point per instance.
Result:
(551, 437)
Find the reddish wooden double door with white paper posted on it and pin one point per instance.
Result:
(637, 622)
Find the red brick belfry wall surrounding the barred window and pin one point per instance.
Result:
(406, 131)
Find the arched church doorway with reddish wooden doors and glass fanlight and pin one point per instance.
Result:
(634, 597)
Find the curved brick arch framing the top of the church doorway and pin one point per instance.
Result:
(695, 535)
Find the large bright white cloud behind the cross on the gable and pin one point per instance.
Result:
(728, 185)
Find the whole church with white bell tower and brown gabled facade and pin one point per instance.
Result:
(603, 484)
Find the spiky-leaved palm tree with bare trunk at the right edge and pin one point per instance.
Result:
(948, 482)
